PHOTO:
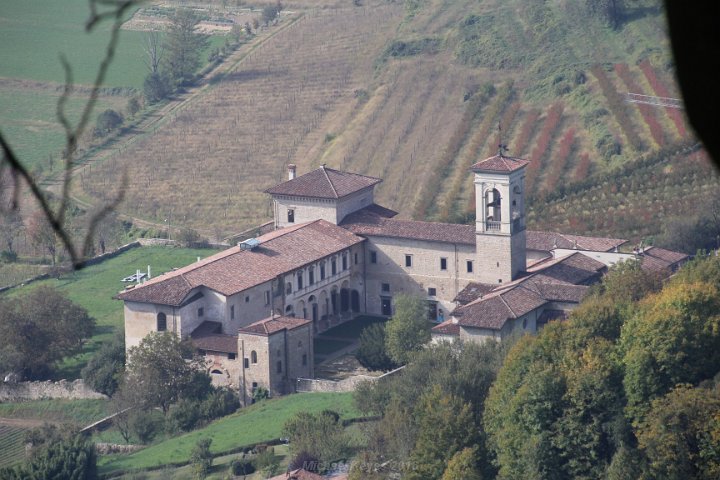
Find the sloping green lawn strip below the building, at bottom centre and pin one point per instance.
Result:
(258, 423)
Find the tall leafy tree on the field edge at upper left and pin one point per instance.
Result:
(183, 46)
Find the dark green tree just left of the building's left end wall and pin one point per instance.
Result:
(105, 369)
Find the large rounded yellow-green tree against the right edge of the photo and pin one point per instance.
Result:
(674, 339)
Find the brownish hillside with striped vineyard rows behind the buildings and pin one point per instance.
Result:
(412, 93)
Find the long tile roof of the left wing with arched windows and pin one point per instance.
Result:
(235, 270)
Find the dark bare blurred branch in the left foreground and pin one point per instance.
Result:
(115, 11)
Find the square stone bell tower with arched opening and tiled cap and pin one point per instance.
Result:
(499, 218)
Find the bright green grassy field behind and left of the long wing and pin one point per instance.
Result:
(94, 287)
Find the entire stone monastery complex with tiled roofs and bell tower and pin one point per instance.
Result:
(254, 308)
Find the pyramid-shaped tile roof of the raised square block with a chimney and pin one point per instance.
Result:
(324, 182)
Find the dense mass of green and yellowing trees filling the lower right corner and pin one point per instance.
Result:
(626, 388)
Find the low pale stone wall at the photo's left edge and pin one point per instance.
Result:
(25, 391)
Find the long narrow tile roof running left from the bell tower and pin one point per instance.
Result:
(366, 223)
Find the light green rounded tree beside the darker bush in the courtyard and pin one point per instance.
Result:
(407, 331)
